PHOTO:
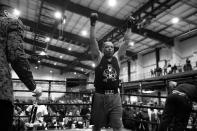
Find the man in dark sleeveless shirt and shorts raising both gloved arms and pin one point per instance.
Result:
(107, 106)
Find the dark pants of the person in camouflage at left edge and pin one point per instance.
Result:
(6, 113)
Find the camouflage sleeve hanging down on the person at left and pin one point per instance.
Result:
(16, 55)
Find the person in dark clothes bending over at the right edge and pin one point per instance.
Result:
(178, 106)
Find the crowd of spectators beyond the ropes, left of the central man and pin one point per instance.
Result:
(54, 116)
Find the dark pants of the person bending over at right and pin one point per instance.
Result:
(176, 113)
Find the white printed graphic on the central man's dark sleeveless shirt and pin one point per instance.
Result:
(110, 73)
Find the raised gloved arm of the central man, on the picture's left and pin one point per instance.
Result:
(95, 52)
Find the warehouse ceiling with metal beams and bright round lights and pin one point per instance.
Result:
(68, 46)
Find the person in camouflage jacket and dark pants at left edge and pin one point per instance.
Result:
(11, 52)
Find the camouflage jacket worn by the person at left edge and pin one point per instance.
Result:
(12, 52)
